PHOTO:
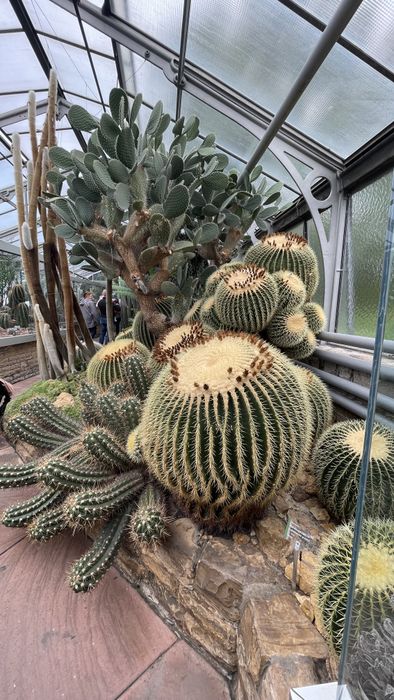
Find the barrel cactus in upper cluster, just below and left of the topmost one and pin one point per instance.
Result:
(246, 298)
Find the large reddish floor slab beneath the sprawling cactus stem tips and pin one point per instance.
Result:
(56, 644)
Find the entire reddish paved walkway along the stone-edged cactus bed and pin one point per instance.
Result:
(105, 645)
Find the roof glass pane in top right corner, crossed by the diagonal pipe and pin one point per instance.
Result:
(371, 27)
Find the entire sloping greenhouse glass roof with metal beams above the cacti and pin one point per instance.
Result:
(238, 61)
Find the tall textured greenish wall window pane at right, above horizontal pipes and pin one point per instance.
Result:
(362, 267)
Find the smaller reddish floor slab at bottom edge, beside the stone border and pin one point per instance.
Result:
(179, 674)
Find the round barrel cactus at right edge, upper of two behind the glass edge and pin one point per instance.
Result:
(337, 461)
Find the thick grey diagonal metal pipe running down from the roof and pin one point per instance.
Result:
(323, 47)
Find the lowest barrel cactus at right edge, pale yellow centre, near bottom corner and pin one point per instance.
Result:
(374, 579)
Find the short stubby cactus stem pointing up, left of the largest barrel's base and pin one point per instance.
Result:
(148, 522)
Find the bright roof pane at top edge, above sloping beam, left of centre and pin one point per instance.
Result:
(162, 20)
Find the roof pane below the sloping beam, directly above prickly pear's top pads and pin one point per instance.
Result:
(142, 76)
